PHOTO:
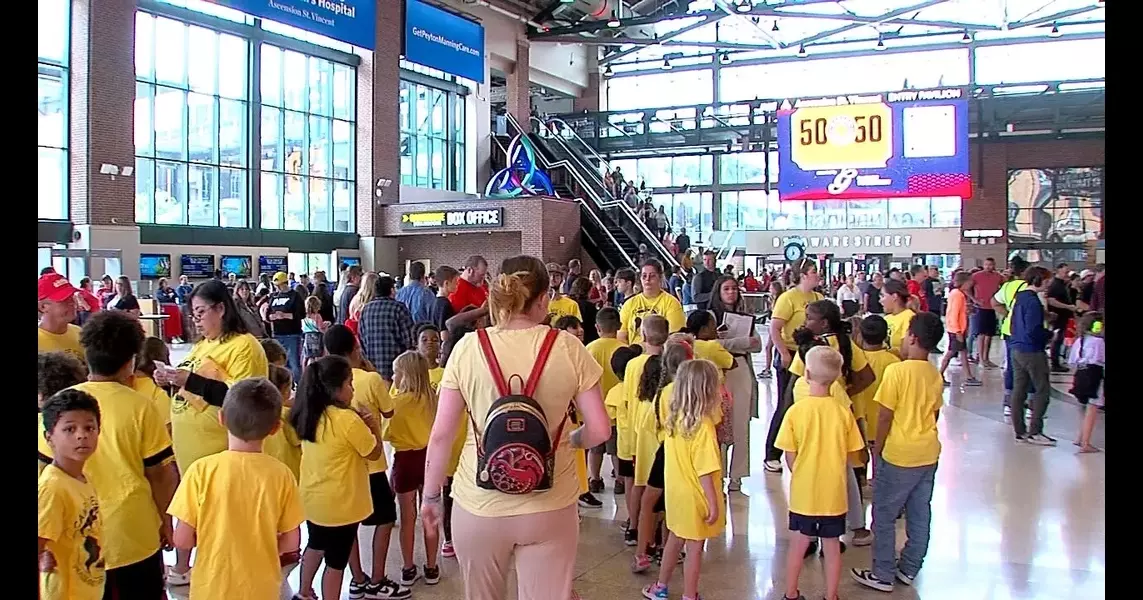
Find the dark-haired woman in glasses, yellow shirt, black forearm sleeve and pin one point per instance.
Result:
(225, 355)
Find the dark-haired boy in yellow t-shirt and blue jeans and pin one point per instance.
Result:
(907, 451)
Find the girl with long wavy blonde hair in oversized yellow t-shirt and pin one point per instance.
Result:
(693, 475)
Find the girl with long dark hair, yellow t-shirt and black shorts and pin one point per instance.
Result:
(338, 443)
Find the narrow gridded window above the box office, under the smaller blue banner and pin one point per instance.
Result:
(433, 138)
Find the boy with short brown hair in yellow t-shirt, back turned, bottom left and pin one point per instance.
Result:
(241, 508)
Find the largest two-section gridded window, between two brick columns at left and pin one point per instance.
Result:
(197, 117)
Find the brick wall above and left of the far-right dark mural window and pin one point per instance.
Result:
(990, 163)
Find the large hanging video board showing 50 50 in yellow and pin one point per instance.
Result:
(901, 145)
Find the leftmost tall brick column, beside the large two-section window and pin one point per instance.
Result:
(102, 124)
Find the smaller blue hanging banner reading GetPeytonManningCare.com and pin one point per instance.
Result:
(443, 41)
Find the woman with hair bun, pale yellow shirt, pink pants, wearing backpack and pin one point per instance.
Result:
(494, 532)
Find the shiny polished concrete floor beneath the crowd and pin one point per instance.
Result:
(1009, 522)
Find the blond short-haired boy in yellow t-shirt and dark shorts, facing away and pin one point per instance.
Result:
(820, 439)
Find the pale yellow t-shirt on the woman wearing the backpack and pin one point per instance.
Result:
(570, 372)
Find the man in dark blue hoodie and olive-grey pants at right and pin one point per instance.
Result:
(1029, 363)
